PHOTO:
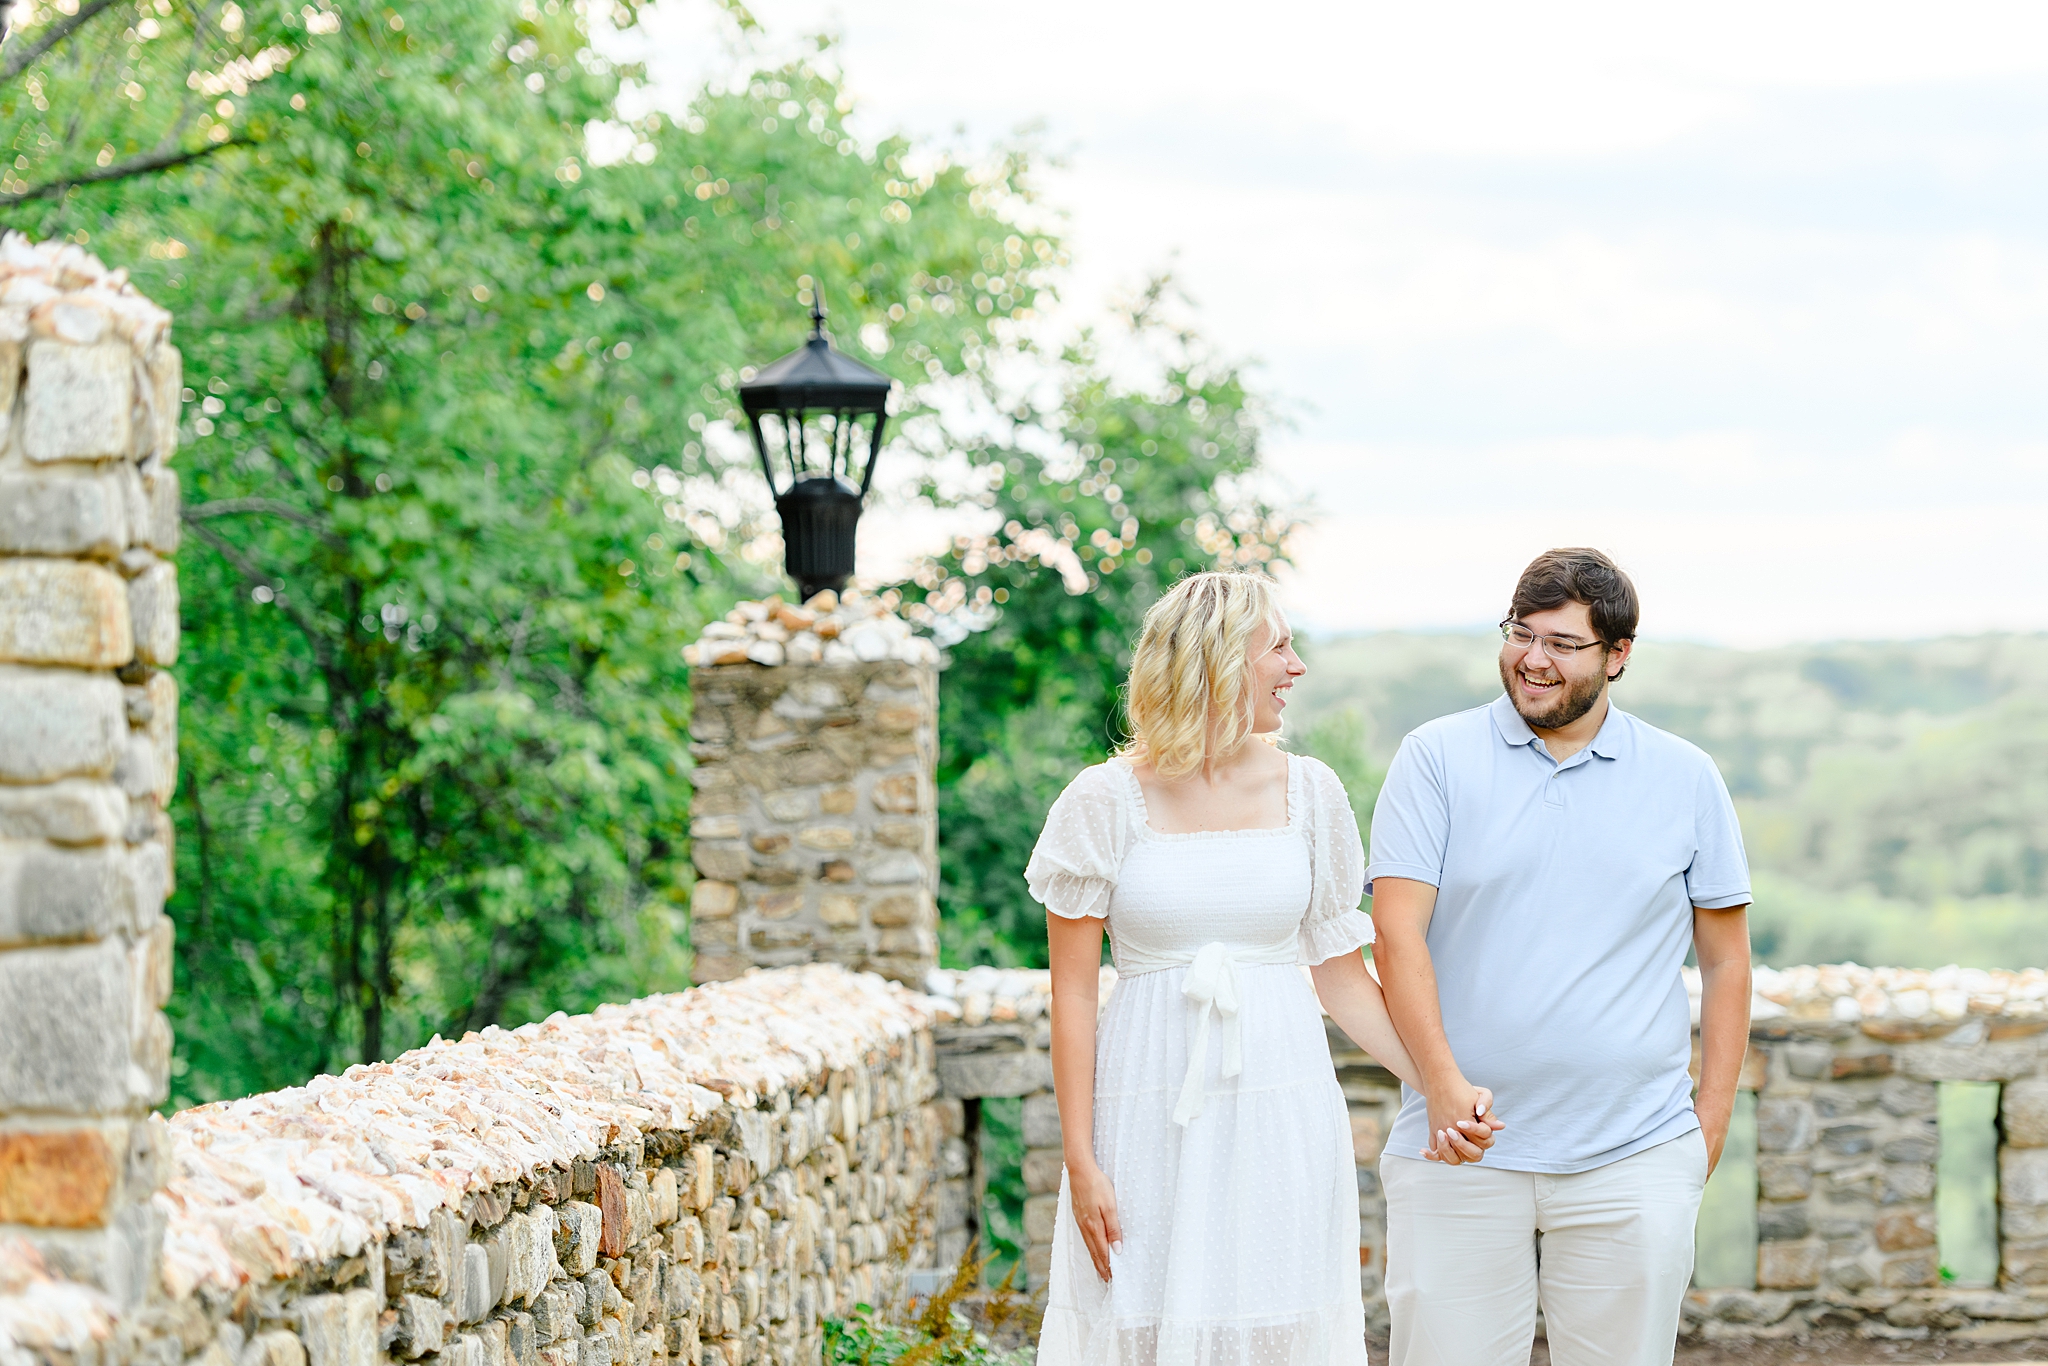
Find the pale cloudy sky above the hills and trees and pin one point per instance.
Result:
(1750, 296)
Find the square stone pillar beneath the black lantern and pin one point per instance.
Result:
(814, 828)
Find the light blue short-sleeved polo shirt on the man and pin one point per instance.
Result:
(1564, 916)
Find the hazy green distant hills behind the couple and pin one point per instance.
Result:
(1893, 796)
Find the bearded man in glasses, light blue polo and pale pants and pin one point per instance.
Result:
(1539, 869)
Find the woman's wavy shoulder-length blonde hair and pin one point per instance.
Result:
(1189, 697)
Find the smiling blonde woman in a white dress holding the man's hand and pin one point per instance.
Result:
(1209, 1209)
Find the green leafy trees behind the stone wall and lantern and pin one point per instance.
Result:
(462, 476)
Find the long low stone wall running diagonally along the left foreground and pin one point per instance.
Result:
(695, 1179)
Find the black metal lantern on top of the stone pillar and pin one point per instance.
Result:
(818, 398)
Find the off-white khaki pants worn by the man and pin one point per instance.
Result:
(1609, 1252)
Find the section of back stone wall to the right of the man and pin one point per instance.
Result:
(1846, 1070)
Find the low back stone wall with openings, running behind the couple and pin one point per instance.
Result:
(1844, 1072)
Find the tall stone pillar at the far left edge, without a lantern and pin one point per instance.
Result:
(89, 620)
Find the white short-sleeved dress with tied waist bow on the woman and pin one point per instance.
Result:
(1236, 1183)
